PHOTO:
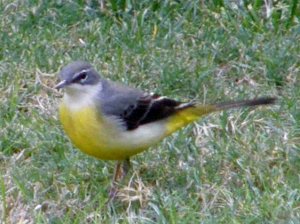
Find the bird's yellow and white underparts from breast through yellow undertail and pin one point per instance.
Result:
(101, 138)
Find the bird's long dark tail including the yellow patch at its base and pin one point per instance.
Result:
(191, 112)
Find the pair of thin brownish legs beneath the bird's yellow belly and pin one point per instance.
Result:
(121, 170)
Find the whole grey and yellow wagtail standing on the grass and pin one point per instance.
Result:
(111, 121)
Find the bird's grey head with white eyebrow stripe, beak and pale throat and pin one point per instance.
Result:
(78, 77)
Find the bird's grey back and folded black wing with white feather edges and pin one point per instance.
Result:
(135, 108)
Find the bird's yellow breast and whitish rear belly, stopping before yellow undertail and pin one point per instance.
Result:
(100, 137)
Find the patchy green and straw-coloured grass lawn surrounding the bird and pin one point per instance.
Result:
(239, 166)
